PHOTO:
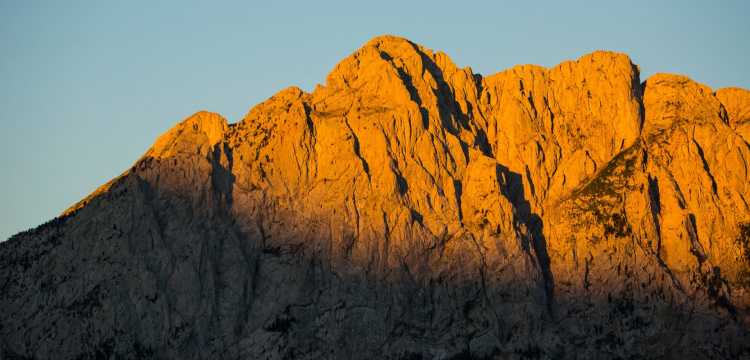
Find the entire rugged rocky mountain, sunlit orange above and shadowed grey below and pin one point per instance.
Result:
(409, 208)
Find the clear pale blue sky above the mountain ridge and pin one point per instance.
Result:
(86, 87)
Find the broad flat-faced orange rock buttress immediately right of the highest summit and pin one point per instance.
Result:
(558, 127)
